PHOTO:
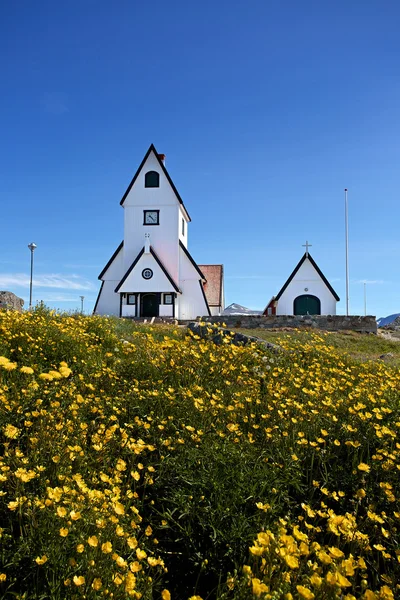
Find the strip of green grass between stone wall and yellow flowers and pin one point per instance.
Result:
(359, 346)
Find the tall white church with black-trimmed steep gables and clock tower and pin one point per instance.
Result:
(152, 273)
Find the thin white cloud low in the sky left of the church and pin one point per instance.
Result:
(65, 282)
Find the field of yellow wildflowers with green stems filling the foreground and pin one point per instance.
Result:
(145, 463)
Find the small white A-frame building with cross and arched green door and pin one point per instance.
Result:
(306, 292)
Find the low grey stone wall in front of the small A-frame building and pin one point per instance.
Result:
(325, 322)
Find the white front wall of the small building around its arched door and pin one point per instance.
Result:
(306, 277)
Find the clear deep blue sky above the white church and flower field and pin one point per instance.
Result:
(265, 110)
